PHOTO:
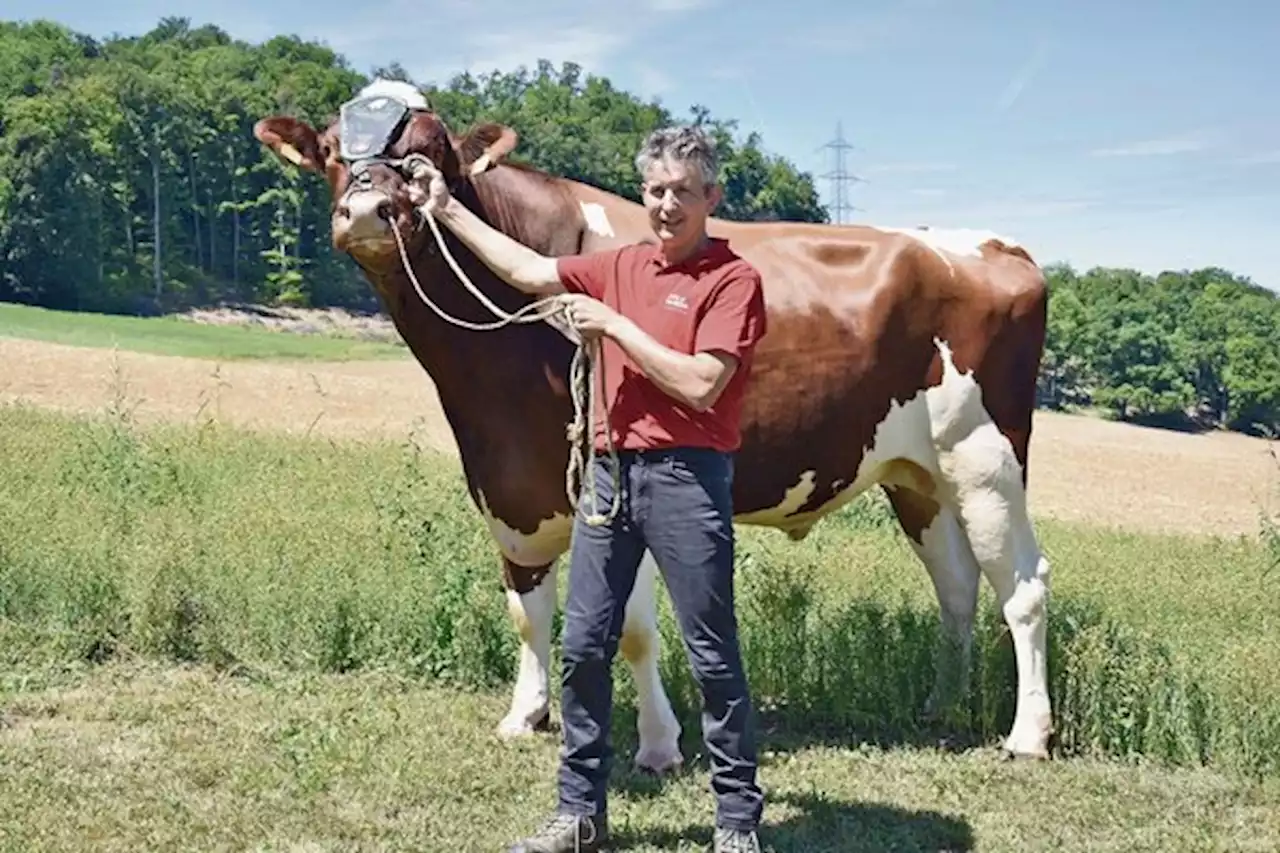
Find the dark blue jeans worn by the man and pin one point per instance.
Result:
(678, 504)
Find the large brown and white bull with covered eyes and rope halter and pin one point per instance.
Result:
(902, 359)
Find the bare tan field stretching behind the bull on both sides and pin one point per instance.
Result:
(1082, 469)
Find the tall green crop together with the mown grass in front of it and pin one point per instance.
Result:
(333, 654)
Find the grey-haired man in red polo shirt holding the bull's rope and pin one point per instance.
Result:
(680, 321)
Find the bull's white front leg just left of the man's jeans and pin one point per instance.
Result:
(532, 604)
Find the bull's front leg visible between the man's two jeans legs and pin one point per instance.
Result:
(641, 645)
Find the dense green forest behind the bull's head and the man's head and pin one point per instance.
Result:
(131, 180)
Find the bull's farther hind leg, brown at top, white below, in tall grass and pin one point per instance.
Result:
(939, 541)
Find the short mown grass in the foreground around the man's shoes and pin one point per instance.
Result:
(138, 758)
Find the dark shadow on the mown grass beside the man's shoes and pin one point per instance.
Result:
(828, 825)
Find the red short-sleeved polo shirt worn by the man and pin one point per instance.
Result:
(710, 302)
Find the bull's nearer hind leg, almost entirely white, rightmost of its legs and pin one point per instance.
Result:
(989, 483)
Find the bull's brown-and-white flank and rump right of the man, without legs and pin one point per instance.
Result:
(861, 325)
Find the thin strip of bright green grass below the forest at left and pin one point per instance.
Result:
(172, 336)
